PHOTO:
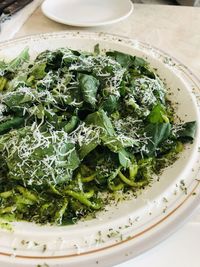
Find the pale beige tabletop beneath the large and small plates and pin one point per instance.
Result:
(175, 30)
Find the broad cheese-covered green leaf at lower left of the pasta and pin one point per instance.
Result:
(52, 164)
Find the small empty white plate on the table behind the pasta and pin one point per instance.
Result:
(87, 13)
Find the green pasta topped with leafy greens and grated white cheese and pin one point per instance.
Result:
(75, 126)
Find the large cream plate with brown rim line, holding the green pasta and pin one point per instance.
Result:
(135, 225)
